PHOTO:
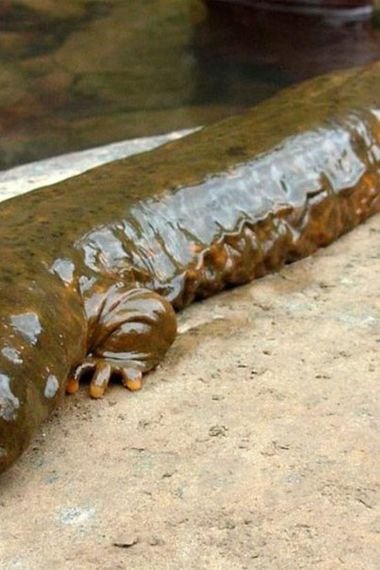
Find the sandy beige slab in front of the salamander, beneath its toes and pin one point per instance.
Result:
(255, 445)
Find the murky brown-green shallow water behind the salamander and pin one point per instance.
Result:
(78, 74)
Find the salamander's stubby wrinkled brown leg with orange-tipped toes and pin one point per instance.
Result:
(129, 336)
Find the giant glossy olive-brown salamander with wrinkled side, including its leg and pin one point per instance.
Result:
(93, 269)
